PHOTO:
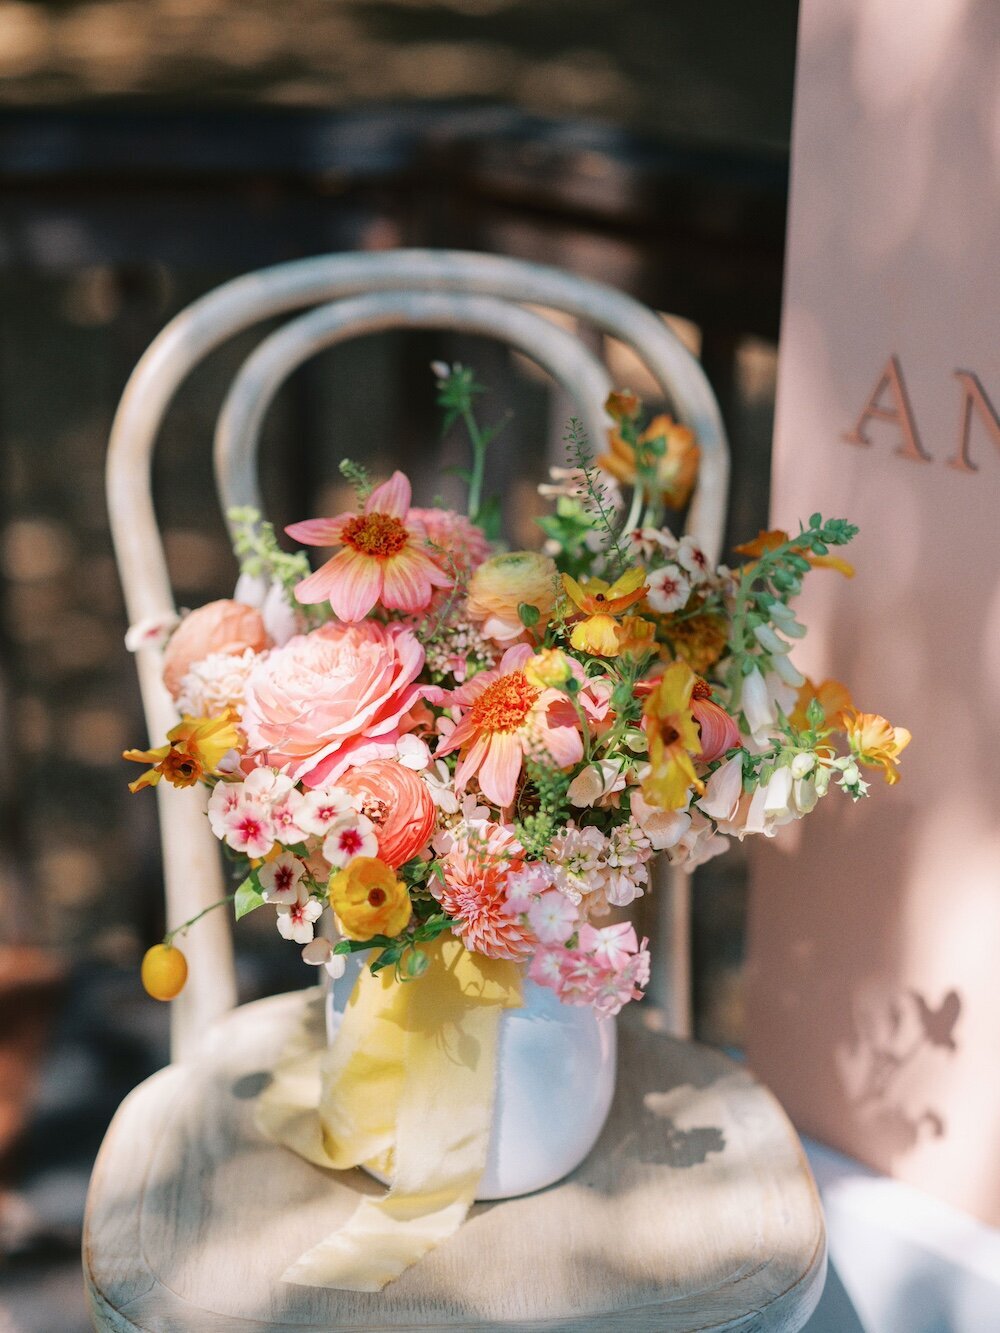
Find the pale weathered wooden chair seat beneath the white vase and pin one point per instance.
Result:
(697, 1210)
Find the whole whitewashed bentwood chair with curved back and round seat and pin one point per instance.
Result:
(697, 1210)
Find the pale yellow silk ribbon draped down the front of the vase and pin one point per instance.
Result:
(406, 1090)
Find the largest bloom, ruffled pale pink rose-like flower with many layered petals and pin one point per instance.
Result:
(333, 699)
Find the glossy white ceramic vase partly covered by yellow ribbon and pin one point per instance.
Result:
(557, 1068)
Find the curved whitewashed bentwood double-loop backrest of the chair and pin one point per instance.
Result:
(353, 294)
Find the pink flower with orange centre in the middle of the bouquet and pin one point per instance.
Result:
(505, 716)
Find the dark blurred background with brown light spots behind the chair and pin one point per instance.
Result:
(151, 150)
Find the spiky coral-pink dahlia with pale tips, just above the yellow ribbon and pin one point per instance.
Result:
(475, 892)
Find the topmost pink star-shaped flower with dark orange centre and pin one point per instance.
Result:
(386, 559)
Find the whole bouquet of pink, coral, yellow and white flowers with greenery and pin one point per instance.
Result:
(430, 734)
